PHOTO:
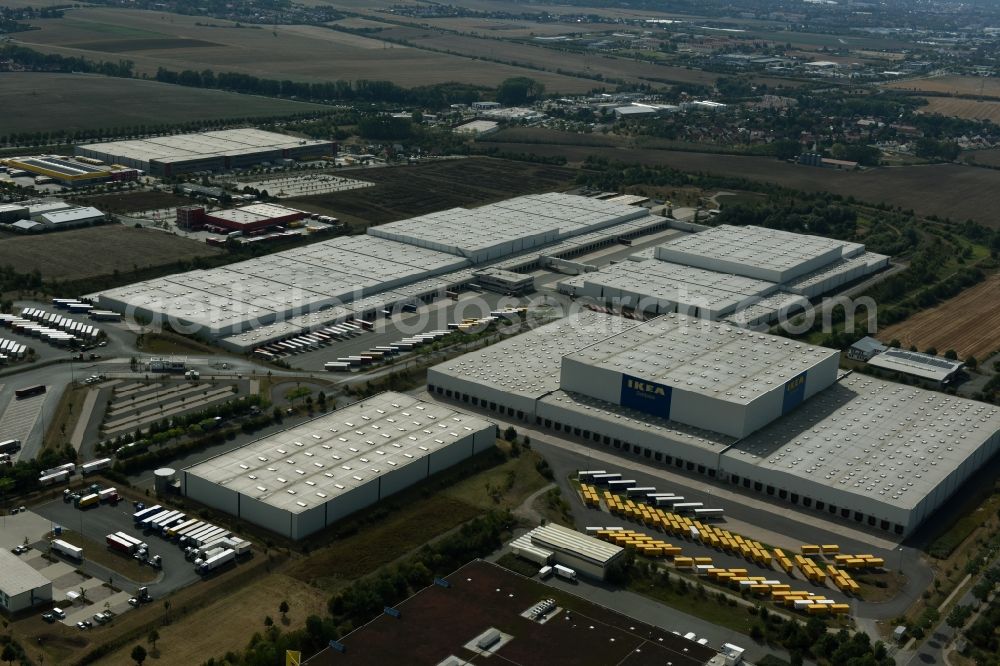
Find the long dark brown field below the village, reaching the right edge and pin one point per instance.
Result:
(947, 190)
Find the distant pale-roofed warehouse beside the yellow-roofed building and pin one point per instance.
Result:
(207, 151)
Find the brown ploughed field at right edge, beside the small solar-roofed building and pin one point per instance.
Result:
(968, 323)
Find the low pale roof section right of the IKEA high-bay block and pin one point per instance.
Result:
(884, 442)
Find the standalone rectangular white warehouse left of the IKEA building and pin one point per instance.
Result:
(303, 479)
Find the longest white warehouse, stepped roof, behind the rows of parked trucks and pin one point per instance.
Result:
(352, 277)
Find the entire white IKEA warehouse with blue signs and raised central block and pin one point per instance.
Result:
(758, 411)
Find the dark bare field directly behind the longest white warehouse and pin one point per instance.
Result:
(408, 191)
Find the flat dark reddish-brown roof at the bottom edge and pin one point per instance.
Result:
(437, 622)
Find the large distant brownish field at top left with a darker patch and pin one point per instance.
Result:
(302, 53)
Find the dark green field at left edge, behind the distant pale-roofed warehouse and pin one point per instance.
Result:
(35, 102)
